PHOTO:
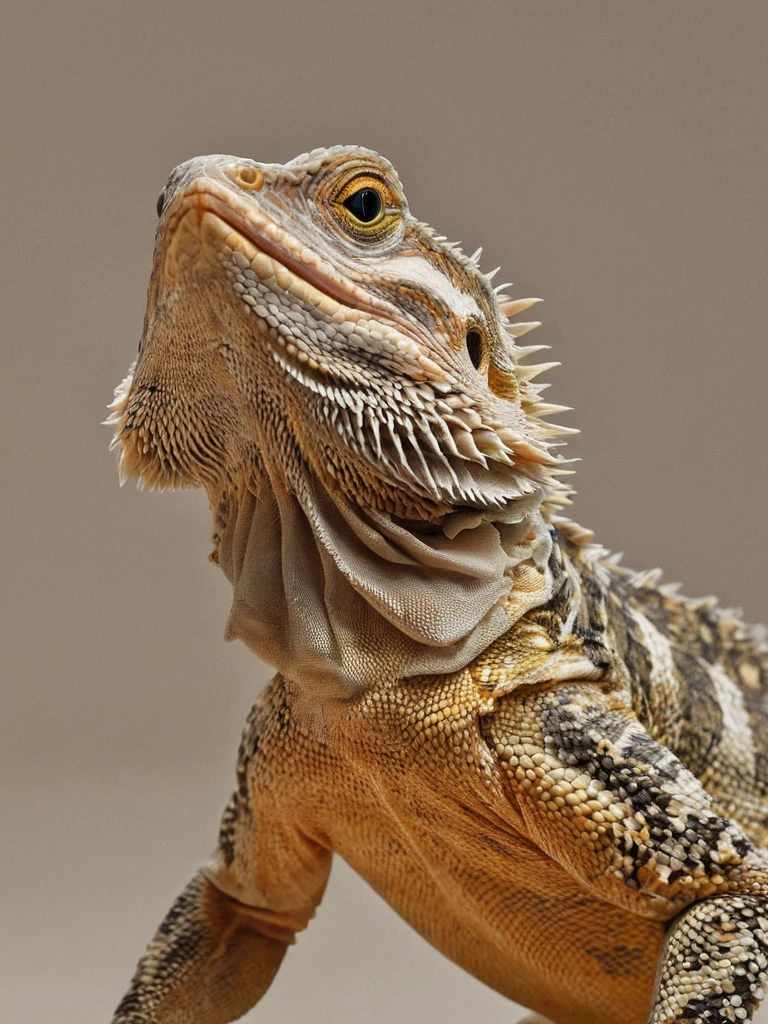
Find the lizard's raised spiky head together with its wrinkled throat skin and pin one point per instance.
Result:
(347, 387)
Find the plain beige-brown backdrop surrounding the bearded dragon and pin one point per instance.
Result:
(611, 156)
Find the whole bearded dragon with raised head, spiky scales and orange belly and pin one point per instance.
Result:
(552, 767)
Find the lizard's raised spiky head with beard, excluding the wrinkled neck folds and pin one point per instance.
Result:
(301, 312)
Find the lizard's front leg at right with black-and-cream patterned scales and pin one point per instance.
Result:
(635, 827)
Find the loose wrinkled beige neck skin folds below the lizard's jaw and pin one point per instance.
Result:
(340, 598)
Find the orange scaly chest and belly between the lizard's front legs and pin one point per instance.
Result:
(421, 813)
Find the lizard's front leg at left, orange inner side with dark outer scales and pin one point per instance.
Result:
(223, 942)
